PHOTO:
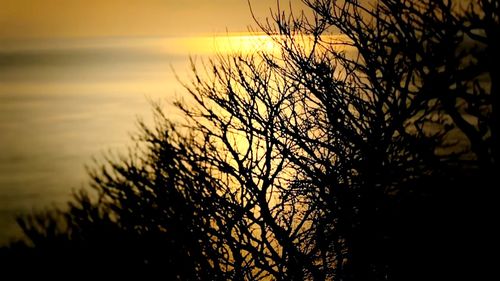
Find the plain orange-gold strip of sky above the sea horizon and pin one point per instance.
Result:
(97, 18)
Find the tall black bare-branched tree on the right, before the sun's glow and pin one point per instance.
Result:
(360, 134)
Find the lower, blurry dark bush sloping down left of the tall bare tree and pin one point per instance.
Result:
(145, 216)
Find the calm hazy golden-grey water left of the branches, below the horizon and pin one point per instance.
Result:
(63, 102)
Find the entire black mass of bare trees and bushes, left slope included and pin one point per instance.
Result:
(364, 149)
